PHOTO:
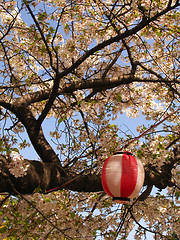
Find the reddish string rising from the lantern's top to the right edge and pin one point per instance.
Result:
(150, 128)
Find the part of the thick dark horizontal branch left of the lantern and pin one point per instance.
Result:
(47, 176)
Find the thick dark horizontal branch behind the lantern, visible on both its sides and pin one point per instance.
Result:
(48, 176)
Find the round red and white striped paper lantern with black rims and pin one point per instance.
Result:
(122, 176)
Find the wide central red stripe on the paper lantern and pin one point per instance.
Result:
(129, 175)
